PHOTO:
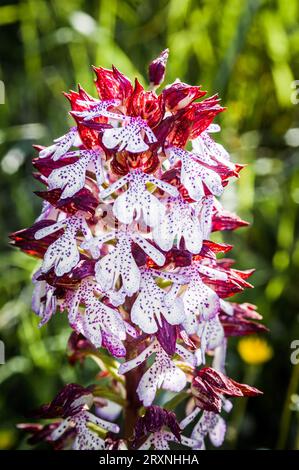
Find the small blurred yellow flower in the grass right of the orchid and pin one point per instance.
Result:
(254, 350)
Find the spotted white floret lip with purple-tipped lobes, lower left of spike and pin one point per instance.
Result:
(100, 324)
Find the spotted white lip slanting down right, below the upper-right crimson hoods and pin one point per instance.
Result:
(195, 176)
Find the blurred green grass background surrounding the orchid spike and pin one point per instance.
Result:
(248, 51)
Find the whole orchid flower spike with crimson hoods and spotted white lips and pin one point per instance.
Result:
(130, 201)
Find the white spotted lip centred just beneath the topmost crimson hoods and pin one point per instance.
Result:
(130, 137)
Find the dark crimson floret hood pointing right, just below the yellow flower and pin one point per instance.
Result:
(209, 385)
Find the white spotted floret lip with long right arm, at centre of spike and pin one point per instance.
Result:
(121, 263)
